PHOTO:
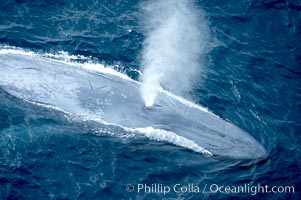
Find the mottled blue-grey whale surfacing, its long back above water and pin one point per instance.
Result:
(116, 99)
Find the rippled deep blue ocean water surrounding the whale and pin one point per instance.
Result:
(251, 78)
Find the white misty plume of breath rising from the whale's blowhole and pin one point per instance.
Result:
(176, 35)
